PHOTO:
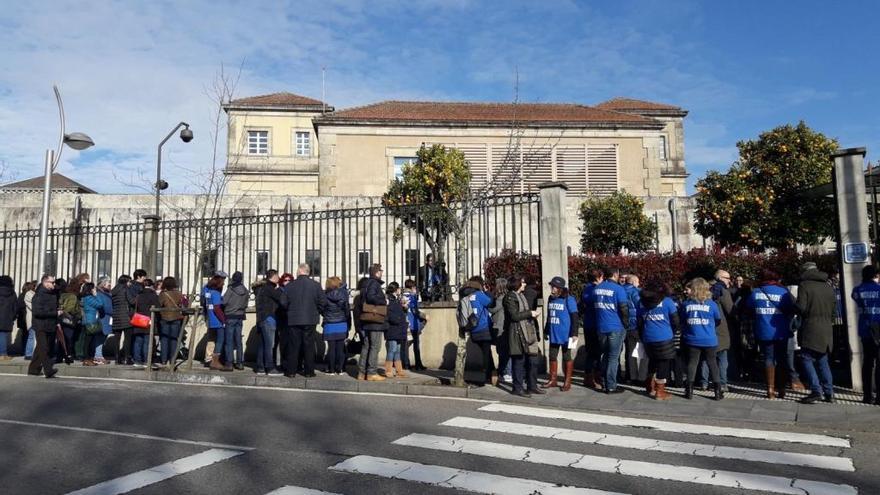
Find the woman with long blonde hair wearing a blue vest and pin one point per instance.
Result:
(700, 315)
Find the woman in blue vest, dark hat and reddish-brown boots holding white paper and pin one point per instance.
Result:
(560, 328)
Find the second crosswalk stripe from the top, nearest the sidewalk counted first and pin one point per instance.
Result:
(638, 443)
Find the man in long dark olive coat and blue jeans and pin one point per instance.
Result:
(817, 305)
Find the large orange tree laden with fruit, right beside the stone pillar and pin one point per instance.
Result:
(758, 204)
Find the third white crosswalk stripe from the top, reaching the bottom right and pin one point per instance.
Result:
(728, 479)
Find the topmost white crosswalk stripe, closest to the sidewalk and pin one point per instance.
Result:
(694, 429)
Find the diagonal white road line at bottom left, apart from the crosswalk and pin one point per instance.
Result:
(158, 473)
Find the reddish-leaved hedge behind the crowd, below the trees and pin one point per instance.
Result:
(674, 269)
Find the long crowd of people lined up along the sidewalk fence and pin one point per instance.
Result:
(632, 333)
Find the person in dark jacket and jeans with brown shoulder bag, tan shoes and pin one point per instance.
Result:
(373, 314)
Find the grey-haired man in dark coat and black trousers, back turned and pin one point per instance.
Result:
(304, 301)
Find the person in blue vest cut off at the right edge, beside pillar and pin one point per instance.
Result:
(867, 298)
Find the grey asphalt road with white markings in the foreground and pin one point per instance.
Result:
(103, 436)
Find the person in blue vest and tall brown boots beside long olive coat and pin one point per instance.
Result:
(771, 307)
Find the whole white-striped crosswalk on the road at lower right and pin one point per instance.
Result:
(780, 449)
